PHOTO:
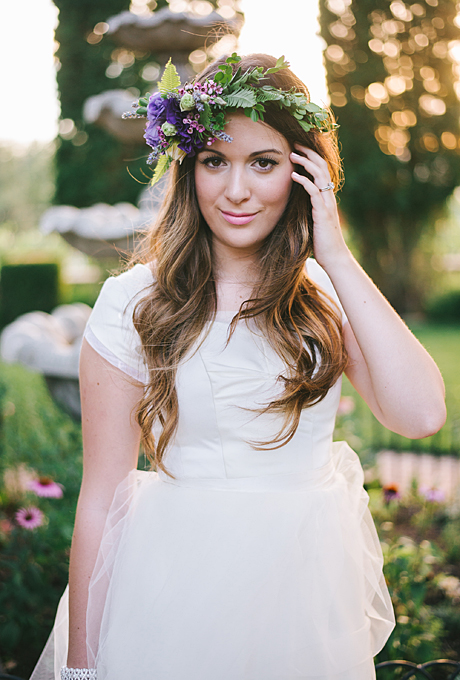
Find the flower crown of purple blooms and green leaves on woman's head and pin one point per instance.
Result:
(182, 120)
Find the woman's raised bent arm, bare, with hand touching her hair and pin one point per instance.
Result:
(388, 366)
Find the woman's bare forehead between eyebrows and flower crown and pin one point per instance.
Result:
(249, 136)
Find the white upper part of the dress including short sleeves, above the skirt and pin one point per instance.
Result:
(221, 387)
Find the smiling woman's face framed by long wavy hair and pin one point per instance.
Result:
(243, 186)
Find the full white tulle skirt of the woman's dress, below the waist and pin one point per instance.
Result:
(260, 578)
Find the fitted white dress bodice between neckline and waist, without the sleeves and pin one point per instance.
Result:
(221, 388)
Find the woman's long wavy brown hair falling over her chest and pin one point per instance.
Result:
(301, 325)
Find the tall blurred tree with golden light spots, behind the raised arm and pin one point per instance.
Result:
(392, 75)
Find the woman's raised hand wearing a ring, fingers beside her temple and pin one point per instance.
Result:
(328, 241)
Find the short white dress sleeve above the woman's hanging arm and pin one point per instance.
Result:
(110, 329)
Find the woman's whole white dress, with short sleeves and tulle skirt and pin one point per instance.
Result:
(249, 565)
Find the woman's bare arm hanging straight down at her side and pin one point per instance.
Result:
(111, 439)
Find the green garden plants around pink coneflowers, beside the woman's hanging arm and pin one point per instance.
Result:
(37, 436)
